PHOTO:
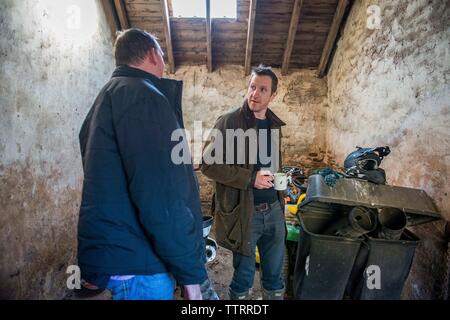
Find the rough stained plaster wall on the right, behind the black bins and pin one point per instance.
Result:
(391, 87)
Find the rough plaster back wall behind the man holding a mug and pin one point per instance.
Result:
(301, 103)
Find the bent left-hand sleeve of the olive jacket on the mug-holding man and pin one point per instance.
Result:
(230, 175)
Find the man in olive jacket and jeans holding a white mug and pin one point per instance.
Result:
(248, 210)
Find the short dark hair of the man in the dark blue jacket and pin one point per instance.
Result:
(133, 45)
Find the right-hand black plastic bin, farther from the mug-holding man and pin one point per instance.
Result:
(382, 267)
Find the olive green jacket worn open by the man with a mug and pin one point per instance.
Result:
(232, 202)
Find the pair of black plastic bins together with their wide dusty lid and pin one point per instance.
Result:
(327, 266)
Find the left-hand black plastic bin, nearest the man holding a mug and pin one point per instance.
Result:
(323, 263)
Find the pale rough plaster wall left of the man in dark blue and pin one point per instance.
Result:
(49, 77)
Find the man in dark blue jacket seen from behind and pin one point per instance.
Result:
(140, 223)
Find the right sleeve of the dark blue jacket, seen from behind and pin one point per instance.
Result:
(164, 194)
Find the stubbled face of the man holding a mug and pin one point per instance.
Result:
(260, 94)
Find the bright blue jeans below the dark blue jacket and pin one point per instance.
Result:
(159, 286)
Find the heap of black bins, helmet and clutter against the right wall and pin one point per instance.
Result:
(347, 232)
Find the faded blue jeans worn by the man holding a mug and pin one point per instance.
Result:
(269, 233)
